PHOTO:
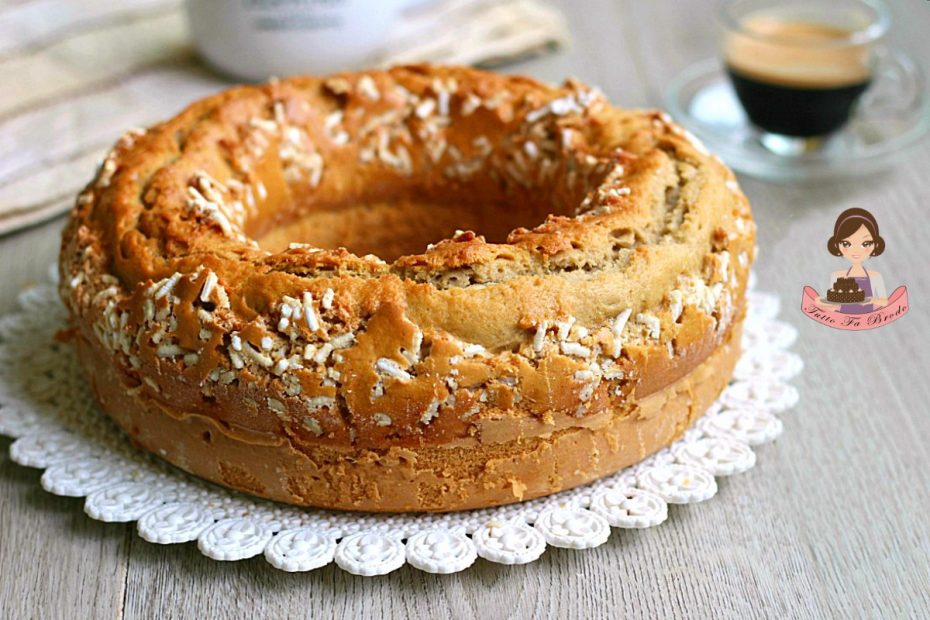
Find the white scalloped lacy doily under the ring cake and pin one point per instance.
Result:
(46, 405)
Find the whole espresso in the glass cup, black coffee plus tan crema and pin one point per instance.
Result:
(796, 78)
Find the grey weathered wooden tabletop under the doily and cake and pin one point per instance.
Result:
(831, 522)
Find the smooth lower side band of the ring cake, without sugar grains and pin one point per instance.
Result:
(435, 479)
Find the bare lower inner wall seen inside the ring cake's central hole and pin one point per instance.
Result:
(398, 226)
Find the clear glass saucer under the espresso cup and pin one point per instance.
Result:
(702, 99)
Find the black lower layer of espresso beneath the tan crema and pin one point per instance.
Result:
(793, 110)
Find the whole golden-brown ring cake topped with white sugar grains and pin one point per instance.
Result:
(421, 289)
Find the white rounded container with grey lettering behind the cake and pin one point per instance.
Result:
(257, 39)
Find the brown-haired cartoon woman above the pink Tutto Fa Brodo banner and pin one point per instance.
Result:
(855, 238)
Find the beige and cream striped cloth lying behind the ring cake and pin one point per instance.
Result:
(77, 73)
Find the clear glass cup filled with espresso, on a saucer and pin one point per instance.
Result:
(799, 67)
